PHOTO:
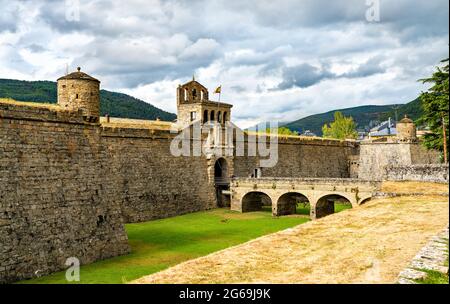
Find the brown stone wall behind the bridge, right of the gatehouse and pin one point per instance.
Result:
(308, 158)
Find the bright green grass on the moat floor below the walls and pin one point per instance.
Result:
(159, 244)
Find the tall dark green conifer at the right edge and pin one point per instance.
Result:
(435, 108)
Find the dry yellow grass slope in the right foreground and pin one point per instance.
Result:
(369, 244)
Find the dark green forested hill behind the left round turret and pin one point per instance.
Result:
(112, 103)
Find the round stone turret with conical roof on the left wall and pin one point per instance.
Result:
(79, 91)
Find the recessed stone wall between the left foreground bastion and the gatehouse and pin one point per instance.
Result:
(152, 183)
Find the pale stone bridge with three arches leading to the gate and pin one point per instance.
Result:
(283, 194)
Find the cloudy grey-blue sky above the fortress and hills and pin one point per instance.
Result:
(276, 60)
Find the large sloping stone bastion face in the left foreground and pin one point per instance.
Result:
(55, 199)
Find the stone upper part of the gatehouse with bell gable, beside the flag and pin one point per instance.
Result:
(193, 105)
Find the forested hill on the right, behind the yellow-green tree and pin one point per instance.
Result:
(364, 116)
